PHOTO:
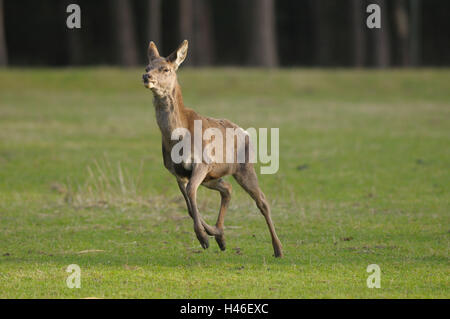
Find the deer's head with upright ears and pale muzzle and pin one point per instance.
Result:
(160, 74)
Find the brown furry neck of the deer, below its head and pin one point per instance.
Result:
(169, 110)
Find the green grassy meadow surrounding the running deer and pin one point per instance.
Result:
(81, 169)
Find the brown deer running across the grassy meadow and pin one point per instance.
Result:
(171, 113)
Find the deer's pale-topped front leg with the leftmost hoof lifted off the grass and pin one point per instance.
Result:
(199, 172)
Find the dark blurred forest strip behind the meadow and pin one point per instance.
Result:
(266, 33)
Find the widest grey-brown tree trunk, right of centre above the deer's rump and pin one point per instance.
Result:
(263, 47)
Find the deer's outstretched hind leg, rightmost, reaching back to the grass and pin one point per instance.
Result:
(246, 177)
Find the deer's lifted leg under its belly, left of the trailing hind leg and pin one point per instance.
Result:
(225, 194)
